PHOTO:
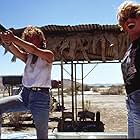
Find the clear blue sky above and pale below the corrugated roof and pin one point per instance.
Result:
(21, 13)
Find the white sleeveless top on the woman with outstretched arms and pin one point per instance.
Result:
(38, 74)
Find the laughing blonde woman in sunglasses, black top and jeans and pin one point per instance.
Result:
(129, 21)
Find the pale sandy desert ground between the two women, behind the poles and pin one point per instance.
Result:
(112, 109)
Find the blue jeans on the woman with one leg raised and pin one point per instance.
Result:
(35, 101)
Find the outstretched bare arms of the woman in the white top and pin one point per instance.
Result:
(15, 41)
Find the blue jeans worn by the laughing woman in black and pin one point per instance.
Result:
(133, 107)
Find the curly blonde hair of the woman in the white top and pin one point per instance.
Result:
(32, 30)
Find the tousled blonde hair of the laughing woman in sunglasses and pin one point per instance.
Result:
(125, 10)
